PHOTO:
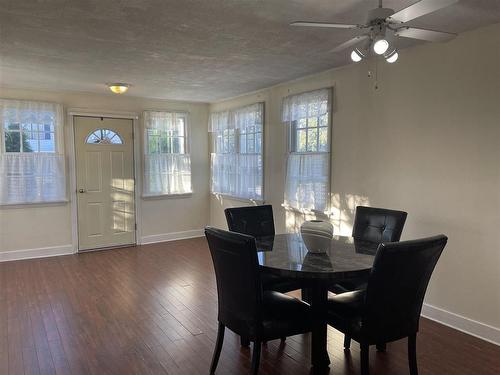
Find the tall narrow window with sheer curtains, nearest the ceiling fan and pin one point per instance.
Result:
(308, 163)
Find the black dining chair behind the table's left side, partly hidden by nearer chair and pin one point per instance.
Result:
(258, 221)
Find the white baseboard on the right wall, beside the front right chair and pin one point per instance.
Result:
(461, 323)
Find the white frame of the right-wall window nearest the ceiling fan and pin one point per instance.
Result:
(290, 137)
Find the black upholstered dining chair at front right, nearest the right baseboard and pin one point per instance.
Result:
(389, 308)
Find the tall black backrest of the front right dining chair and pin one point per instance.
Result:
(396, 287)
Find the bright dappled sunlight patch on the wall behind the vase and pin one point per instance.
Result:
(341, 214)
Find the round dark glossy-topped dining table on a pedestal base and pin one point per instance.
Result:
(287, 256)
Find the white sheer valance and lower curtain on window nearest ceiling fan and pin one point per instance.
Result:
(307, 183)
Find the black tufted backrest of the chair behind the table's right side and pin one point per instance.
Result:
(378, 224)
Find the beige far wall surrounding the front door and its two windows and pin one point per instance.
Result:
(33, 227)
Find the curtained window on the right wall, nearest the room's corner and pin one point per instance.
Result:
(236, 160)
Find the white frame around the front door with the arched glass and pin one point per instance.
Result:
(70, 141)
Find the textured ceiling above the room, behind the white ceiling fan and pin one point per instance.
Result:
(196, 50)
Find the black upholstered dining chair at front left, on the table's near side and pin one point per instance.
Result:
(244, 307)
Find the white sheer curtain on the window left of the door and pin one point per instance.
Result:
(30, 176)
